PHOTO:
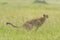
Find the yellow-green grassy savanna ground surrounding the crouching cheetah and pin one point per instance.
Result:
(18, 13)
